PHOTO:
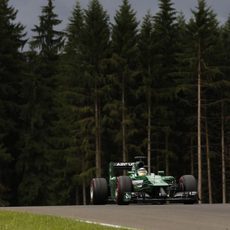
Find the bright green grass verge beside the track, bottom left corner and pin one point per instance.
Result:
(10, 220)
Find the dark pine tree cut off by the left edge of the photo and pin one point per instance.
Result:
(11, 72)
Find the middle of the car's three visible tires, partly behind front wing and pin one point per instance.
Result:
(124, 184)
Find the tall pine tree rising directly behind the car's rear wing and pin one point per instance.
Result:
(125, 61)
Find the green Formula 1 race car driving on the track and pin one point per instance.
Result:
(129, 182)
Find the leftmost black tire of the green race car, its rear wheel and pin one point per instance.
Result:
(98, 191)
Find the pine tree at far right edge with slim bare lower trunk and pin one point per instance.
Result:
(221, 104)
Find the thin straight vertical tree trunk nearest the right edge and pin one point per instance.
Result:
(223, 155)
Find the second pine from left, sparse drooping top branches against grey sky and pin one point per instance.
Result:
(37, 163)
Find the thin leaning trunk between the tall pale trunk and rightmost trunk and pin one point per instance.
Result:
(208, 162)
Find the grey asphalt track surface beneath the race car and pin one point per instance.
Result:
(145, 217)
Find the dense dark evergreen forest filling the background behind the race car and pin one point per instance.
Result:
(100, 91)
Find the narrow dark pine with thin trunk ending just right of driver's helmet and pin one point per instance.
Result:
(146, 93)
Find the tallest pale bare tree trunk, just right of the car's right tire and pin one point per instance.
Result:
(199, 127)
